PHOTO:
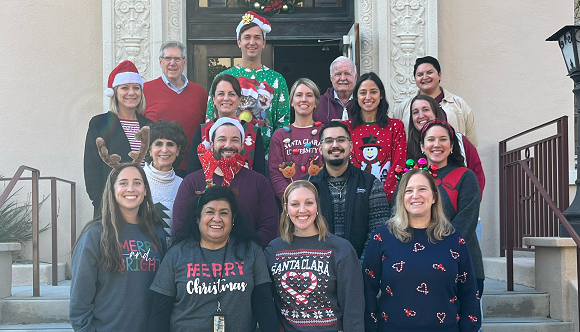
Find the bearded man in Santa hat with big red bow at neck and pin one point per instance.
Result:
(221, 166)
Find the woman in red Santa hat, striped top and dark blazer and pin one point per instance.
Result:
(117, 127)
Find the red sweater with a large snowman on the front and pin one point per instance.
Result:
(379, 151)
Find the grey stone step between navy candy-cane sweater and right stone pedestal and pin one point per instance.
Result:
(523, 302)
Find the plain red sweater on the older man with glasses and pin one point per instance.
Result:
(187, 107)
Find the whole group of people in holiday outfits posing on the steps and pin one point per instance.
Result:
(298, 211)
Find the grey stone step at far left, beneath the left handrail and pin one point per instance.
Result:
(22, 308)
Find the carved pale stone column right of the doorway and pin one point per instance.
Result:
(393, 34)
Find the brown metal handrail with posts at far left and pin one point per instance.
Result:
(35, 227)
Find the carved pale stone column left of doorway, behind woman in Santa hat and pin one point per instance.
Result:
(134, 30)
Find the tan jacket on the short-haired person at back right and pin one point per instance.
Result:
(459, 115)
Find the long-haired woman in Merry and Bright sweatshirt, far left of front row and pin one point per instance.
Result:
(118, 253)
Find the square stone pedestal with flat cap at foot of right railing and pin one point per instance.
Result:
(555, 267)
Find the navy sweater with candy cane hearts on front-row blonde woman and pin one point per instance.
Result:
(424, 286)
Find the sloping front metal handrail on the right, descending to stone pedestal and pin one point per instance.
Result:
(563, 220)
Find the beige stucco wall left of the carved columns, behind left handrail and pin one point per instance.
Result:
(51, 85)
